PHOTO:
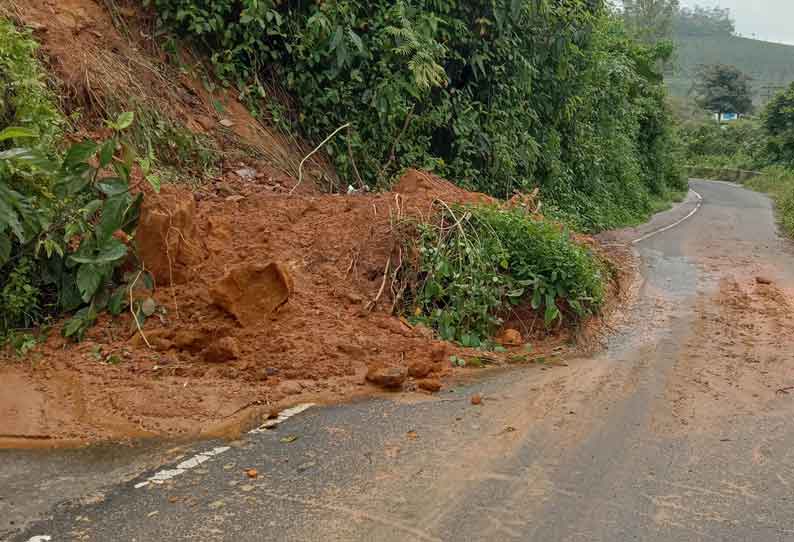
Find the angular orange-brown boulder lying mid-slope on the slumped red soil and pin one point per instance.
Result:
(252, 292)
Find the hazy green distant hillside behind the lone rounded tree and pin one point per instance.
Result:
(770, 64)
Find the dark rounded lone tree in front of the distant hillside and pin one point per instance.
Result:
(723, 89)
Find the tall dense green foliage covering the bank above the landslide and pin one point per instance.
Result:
(496, 95)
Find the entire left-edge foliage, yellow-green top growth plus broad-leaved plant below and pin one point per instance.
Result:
(64, 219)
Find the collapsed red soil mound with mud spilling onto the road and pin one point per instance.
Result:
(263, 295)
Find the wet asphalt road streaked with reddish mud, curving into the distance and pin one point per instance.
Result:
(678, 431)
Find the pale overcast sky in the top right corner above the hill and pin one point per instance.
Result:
(769, 20)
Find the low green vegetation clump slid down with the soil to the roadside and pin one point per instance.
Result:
(479, 261)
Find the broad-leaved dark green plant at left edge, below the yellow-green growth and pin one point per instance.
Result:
(62, 249)
